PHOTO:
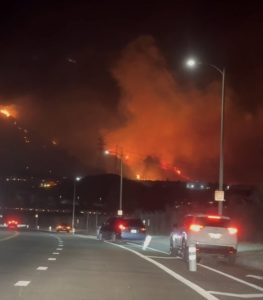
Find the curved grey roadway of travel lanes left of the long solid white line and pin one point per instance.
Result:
(83, 269)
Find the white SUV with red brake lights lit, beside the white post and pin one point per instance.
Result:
(211, 234)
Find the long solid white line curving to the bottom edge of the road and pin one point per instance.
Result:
(175, 275)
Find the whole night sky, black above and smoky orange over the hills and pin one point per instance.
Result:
(80, 70)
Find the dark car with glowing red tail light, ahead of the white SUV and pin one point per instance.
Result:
(122, 228)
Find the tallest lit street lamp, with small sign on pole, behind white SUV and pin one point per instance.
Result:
(219, 195)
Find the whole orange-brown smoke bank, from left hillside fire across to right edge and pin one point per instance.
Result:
(165, 130)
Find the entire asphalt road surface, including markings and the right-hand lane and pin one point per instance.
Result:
(39, 265)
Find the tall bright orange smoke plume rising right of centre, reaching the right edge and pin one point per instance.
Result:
(178, 128)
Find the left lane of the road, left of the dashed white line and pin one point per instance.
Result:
(19, 254)
